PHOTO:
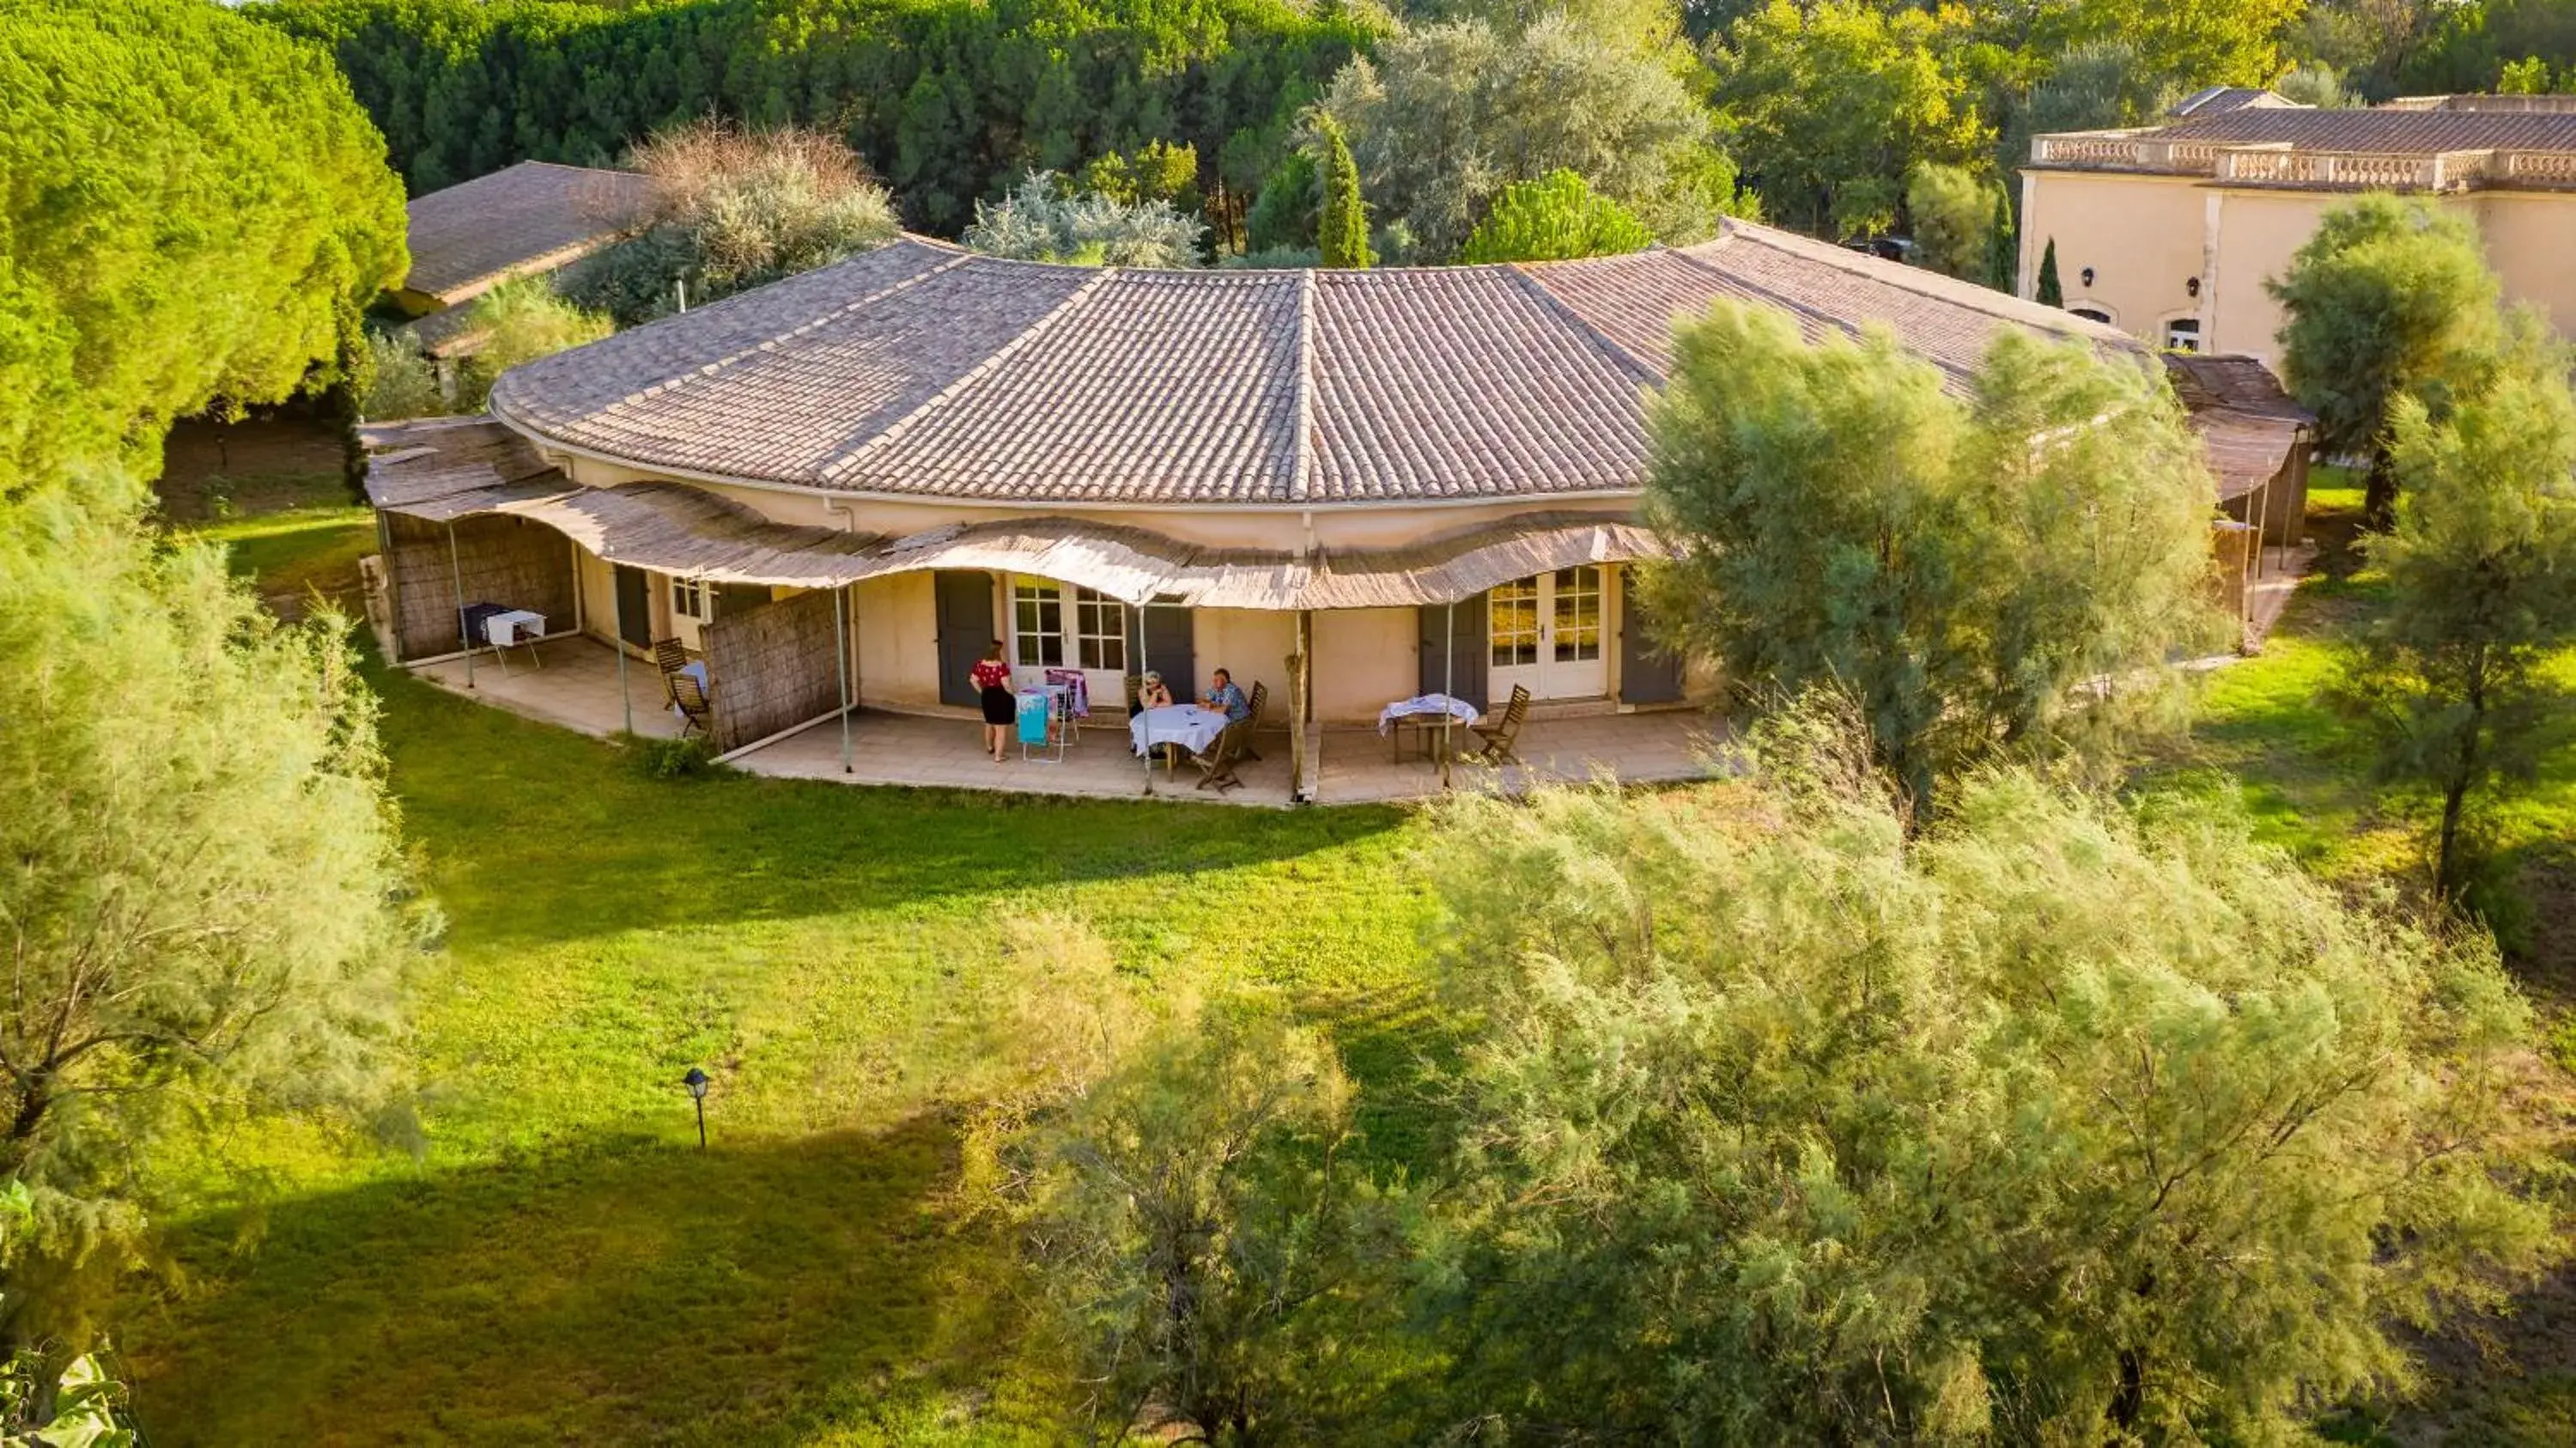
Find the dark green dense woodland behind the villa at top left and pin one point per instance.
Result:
(947, 99)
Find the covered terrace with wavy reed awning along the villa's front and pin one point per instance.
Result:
(473, 519)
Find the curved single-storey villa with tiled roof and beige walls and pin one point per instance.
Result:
(1418, 481)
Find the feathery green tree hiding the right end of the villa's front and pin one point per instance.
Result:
(1959, 566)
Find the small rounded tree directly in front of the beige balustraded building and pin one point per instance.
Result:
(2387, 300)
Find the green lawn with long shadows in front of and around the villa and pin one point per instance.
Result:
(542, 1253)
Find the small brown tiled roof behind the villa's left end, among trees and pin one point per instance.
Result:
(514, 223)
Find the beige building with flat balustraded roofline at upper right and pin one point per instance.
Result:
(2173, 231)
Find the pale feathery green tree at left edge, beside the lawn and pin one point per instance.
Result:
(205, 890)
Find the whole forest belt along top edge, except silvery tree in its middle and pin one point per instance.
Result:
(1825, 107)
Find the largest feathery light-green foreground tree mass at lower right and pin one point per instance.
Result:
(2052, 1125)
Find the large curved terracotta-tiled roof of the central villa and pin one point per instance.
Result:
(931, 372)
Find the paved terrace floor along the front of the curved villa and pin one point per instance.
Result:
(578, 689)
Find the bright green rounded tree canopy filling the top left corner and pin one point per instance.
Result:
(189, 210)
